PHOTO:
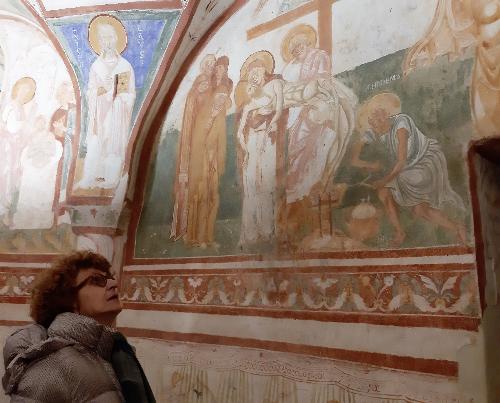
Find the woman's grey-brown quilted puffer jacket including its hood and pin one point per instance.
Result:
(68, 362)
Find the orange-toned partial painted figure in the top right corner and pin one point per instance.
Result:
(457, 26)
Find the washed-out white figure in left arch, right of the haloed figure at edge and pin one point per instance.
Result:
(40, 160)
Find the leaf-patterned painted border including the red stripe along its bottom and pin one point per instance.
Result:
(443, 296)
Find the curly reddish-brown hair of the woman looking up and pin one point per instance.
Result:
(54, 291)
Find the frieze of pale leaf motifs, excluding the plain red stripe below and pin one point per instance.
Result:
(417, 292)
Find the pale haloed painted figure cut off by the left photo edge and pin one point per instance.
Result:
(14, 126)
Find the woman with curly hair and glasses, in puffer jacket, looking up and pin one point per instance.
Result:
(72, 353)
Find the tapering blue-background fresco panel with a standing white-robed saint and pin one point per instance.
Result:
(115, 57)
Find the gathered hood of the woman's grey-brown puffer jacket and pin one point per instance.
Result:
(33, 342)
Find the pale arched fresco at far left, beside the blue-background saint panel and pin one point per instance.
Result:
(37, 106)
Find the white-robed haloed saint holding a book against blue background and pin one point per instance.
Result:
(110, 99)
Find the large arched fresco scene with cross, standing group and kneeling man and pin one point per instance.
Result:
(325, 143)
